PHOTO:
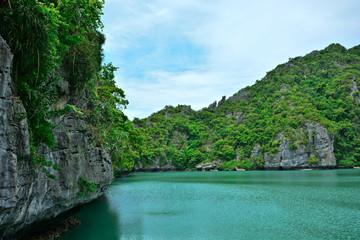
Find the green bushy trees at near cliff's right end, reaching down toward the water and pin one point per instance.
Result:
(111, 128)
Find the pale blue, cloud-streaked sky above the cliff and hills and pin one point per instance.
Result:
(193, 52)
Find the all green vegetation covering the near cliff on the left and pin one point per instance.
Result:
(55, 43)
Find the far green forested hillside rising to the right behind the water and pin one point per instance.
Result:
(308, 99)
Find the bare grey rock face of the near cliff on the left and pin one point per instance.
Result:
(28, 197)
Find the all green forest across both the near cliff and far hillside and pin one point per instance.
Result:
(60, 42)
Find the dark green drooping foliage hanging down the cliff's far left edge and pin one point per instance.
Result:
(30, 29)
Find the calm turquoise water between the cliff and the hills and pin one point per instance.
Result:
(321, 204)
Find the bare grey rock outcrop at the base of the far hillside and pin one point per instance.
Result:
(319, 144)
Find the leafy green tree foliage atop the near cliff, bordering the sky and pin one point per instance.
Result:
(79, 35)
